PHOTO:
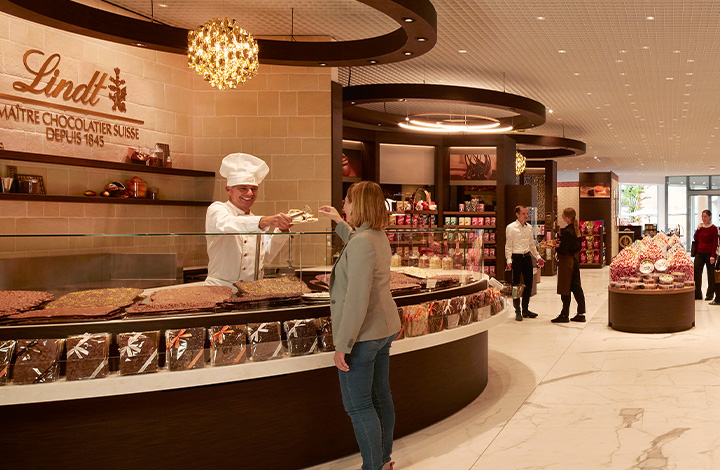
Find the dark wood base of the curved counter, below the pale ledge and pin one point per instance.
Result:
(289, 421)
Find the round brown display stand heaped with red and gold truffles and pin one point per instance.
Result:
(651, 287)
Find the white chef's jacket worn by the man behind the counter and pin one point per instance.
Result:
(232, 259)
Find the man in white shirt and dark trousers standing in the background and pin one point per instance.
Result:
(519, 252)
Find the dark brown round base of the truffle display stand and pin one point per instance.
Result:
(651, 311)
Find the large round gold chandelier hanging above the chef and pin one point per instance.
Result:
(223, 53)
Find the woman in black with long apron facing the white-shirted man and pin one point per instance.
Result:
(568, 253)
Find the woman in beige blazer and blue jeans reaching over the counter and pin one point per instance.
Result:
(365, 321)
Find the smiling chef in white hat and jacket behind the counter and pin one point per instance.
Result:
(233, 258)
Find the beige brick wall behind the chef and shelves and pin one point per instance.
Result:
(282, 116)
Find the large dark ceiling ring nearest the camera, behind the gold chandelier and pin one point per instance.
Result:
(417, 33)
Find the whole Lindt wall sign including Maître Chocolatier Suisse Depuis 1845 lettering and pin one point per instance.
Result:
(91, 129)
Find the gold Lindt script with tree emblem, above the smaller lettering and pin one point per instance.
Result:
(47, 80)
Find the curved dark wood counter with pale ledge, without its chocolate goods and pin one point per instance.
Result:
(280, 414)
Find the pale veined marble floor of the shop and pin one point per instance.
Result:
(582, 396)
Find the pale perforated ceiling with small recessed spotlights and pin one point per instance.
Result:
(643, 94)
